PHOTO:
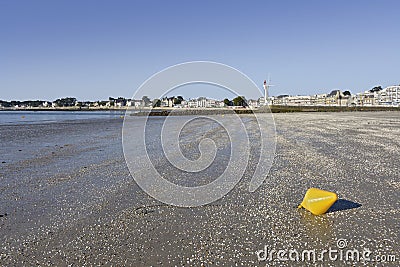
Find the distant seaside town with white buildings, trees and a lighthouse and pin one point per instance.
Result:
(377, 96)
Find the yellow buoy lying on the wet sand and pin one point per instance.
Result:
(318, 201)
